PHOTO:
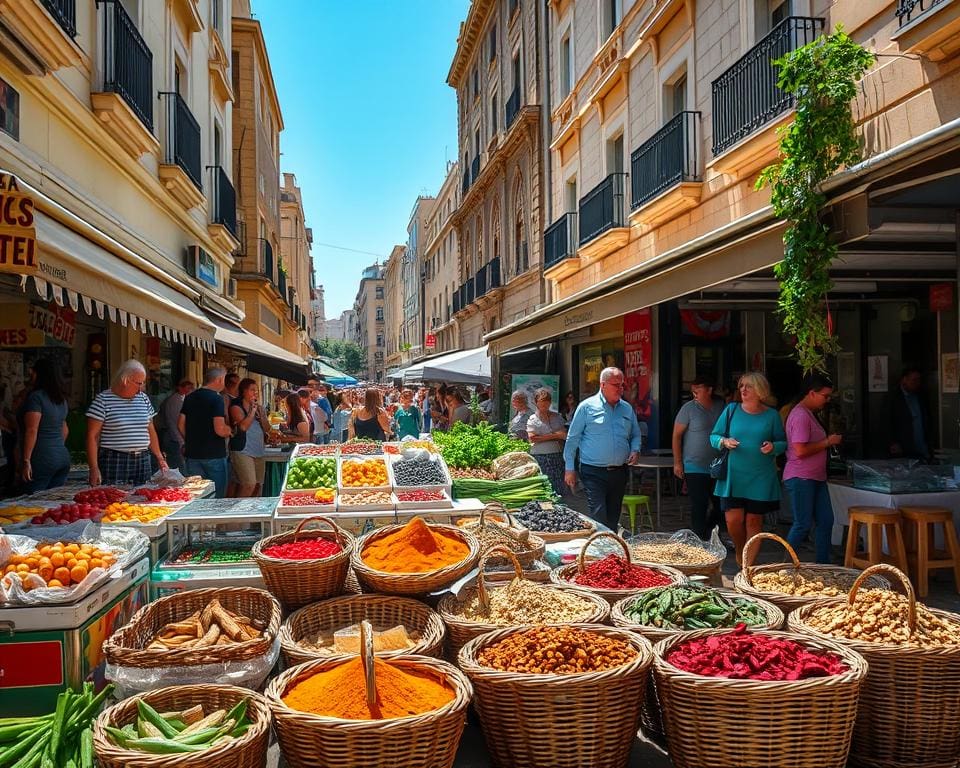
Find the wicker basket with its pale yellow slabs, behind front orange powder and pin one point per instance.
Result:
(329, 629)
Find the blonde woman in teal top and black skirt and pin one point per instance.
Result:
(755, 437)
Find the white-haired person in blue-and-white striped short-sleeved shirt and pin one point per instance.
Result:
(120, 431)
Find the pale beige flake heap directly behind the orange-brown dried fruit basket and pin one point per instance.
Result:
(523, 602)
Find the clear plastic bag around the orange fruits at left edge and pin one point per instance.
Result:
(128, 544)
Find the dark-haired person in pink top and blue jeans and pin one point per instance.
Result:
(805, 475)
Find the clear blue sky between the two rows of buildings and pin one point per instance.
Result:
(369, 119)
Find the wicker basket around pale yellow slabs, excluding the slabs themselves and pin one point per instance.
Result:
(380, 610)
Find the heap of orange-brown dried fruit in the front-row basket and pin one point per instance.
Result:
(557, 651)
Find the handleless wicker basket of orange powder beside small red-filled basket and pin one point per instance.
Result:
(413, 559)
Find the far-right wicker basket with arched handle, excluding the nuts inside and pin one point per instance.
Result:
(910, 701)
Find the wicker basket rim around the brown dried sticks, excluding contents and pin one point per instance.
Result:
(128, 646)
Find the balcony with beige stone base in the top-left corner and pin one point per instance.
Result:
(43, 34)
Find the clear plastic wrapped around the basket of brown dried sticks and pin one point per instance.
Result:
(249, 673)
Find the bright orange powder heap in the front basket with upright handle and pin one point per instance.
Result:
(341, 692)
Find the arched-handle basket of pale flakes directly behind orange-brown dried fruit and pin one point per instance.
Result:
(481, 609)
